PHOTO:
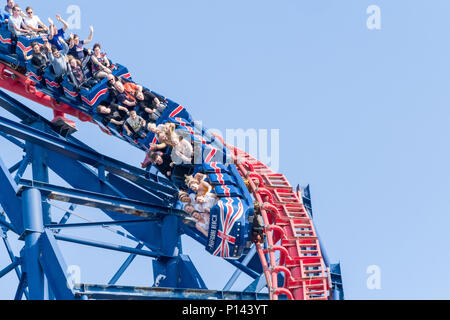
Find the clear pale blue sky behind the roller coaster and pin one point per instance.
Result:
(363, 117)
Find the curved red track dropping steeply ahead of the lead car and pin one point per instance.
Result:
(289, 231)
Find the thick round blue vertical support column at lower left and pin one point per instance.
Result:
(34, 227)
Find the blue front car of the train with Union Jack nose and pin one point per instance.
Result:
(231, 220)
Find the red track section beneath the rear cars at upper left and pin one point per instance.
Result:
(18, 83)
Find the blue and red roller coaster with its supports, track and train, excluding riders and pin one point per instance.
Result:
(261, 224)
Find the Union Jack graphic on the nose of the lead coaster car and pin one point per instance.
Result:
(229, 215)
